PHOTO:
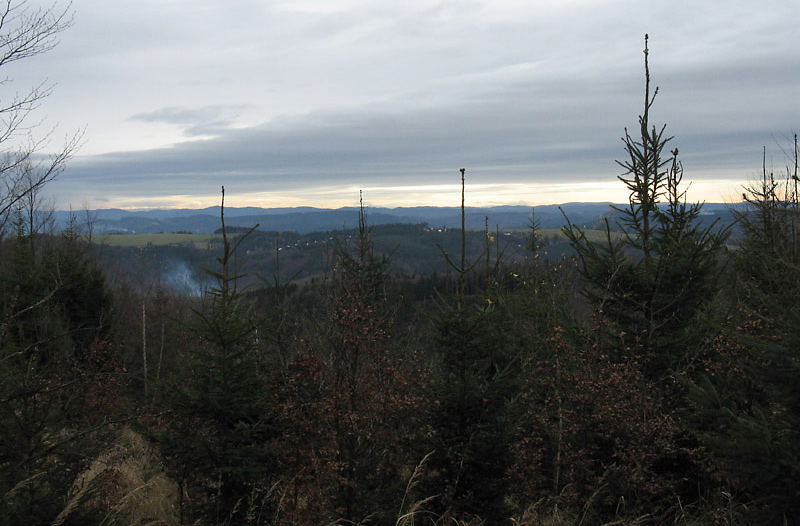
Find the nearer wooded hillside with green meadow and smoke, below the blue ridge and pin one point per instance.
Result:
(412, 250)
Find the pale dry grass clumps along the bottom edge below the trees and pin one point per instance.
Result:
(126, 485)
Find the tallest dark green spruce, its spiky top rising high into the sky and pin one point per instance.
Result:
(655, 277)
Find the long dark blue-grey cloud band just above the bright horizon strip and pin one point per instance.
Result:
(550, 138)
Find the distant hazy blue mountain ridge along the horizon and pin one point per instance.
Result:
(309, 219)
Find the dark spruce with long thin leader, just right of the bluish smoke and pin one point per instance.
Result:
(218, 441)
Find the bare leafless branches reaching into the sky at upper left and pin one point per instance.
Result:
(26, 32)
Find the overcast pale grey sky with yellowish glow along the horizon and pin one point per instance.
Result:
(306, 102)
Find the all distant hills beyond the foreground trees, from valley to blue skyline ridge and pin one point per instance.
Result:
(176, 243)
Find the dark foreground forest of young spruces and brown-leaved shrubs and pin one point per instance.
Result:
(650, 377)
